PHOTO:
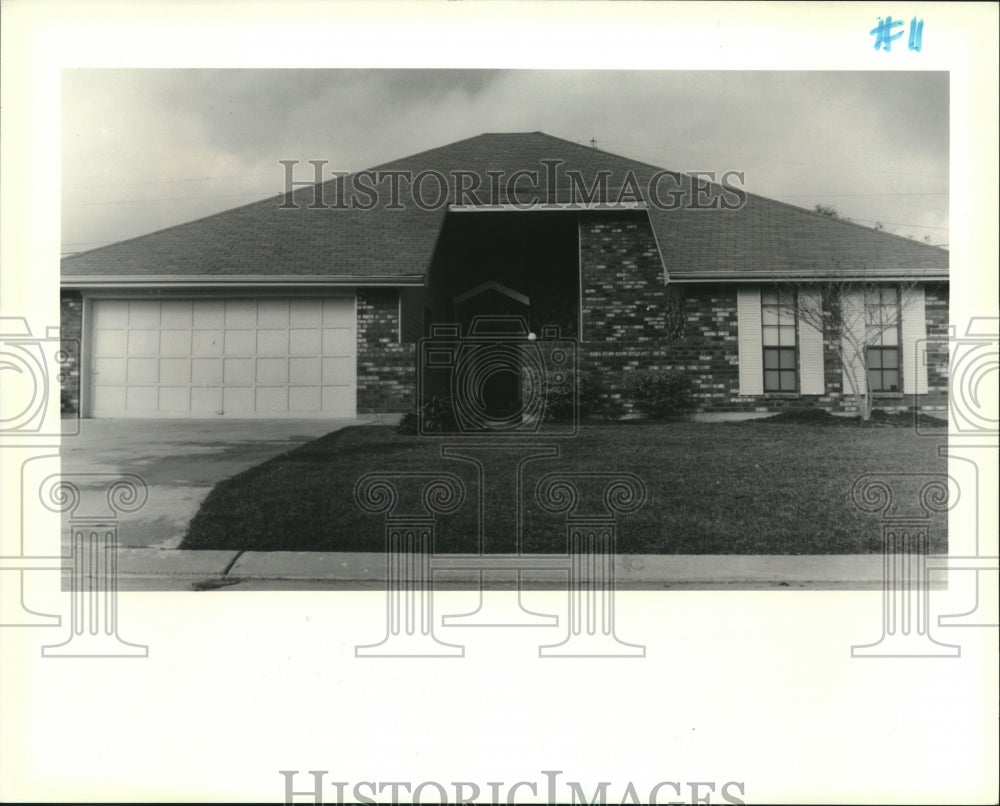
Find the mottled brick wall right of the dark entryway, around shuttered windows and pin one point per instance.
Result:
(631, 321)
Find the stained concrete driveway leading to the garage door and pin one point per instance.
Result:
(180, 460)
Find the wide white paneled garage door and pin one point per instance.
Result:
(239, 357)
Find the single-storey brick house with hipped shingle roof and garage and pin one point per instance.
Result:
(313, 303)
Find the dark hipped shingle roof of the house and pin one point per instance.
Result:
(762, 238)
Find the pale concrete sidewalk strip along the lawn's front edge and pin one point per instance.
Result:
(173, 569)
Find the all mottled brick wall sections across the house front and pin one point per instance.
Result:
(630, 321)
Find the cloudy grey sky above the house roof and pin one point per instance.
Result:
(146, 149)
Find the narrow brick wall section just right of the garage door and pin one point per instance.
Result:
(386, 368)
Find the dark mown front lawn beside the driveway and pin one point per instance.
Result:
(713, 488)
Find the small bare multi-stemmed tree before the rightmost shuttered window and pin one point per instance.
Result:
(860, 321)
